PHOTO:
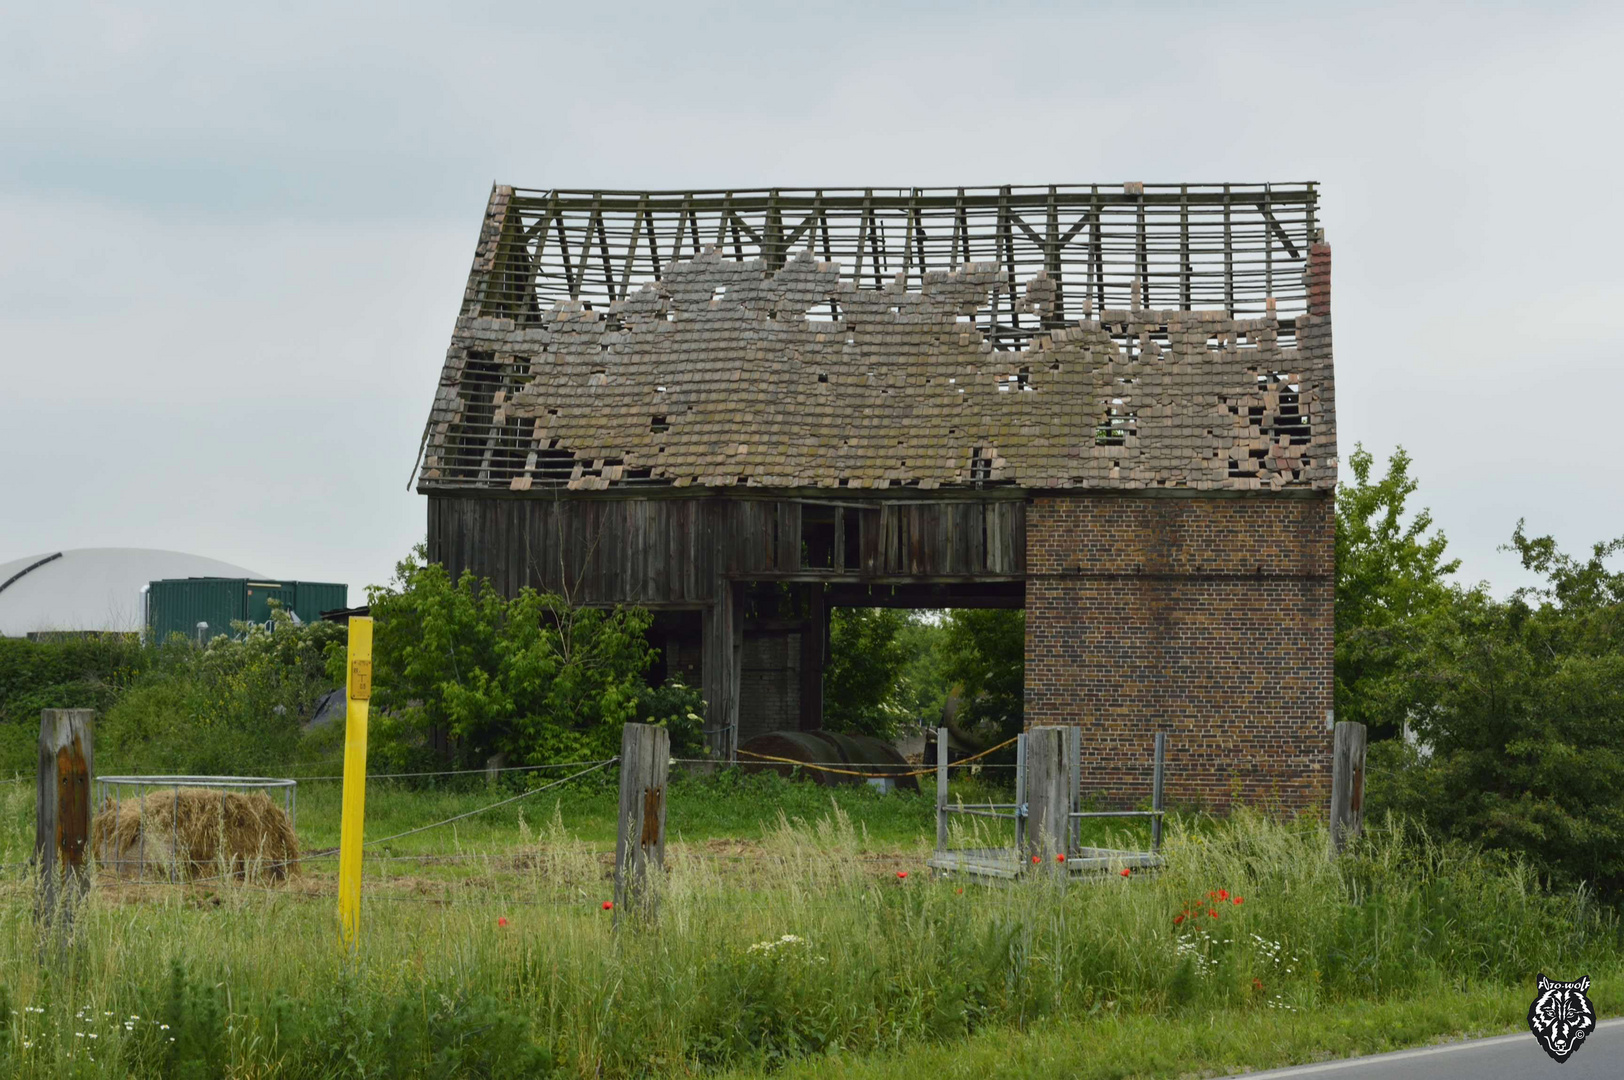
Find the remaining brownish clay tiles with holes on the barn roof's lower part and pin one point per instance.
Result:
(728, 374)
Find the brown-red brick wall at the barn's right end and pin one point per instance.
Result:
(1204, 618)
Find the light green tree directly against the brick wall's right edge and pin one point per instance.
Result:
(1393, 584)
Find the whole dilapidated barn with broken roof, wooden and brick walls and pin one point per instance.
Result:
(1110, 405)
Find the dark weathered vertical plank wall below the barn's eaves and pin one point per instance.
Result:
(673, 551)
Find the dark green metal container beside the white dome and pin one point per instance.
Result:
(207, 608)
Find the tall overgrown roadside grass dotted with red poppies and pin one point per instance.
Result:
(253, 982)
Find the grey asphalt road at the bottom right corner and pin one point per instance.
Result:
(1506, 1058)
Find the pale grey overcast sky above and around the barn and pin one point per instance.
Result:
(235, 238)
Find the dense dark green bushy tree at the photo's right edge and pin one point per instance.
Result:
(1522, 733)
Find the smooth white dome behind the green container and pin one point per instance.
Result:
(93, 589)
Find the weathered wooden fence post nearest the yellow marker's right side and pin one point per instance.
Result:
(641, 840)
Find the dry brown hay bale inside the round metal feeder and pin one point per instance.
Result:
(199, 834)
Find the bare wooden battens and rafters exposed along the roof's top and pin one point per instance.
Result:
(1193, 246)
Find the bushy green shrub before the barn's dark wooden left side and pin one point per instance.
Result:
(462, 673)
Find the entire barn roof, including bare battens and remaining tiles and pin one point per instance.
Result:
(871, 340)
